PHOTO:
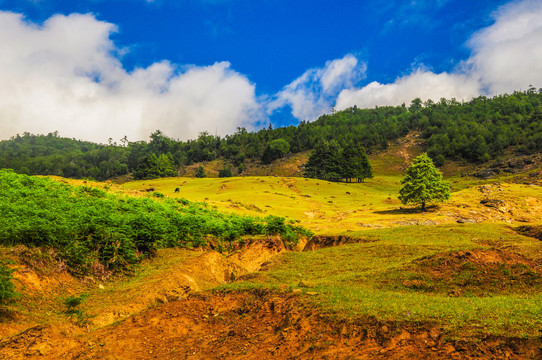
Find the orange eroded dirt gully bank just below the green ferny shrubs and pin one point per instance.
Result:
(43, 281)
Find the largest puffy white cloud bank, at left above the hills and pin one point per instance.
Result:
(65, 75)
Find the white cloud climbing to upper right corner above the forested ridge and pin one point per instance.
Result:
(506, 56)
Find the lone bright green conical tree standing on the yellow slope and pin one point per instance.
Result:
(423, 183)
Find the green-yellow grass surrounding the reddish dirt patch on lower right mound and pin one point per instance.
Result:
(347, 280)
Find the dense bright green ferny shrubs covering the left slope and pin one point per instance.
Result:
(88, 226)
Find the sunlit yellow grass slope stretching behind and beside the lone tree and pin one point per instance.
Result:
(327, 207)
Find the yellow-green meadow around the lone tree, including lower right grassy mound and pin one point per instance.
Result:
(472, 278)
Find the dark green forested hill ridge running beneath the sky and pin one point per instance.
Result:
(477, 131)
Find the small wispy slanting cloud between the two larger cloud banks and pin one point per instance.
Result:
(313, 93)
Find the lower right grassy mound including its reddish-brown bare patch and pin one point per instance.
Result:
(470, 279)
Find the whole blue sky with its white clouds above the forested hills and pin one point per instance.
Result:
(186, 66)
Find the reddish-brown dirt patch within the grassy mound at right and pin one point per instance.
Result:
(479, 272)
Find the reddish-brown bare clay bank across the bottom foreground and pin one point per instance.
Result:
(256, 325)
